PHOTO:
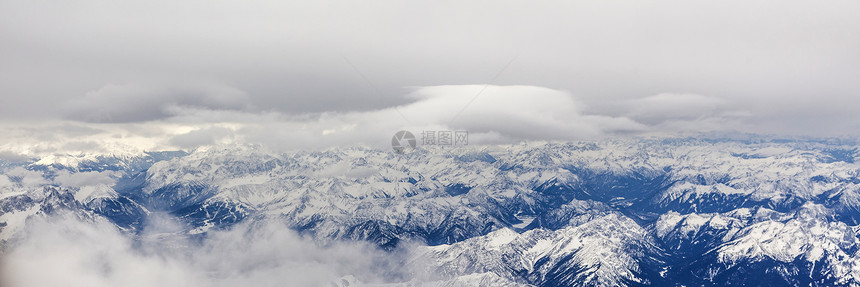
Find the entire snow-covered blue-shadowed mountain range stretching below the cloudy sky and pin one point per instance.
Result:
(653, 212)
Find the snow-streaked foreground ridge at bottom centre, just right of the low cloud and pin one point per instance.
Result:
(607, 251)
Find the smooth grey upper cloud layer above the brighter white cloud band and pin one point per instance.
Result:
(791, 64)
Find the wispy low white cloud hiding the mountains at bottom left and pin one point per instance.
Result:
(68, 252)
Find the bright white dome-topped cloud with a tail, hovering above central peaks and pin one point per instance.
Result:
(516, 111)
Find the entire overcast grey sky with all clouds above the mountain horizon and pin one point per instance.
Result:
(162, 74)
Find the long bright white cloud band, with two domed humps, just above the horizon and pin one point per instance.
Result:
(489, 113)
